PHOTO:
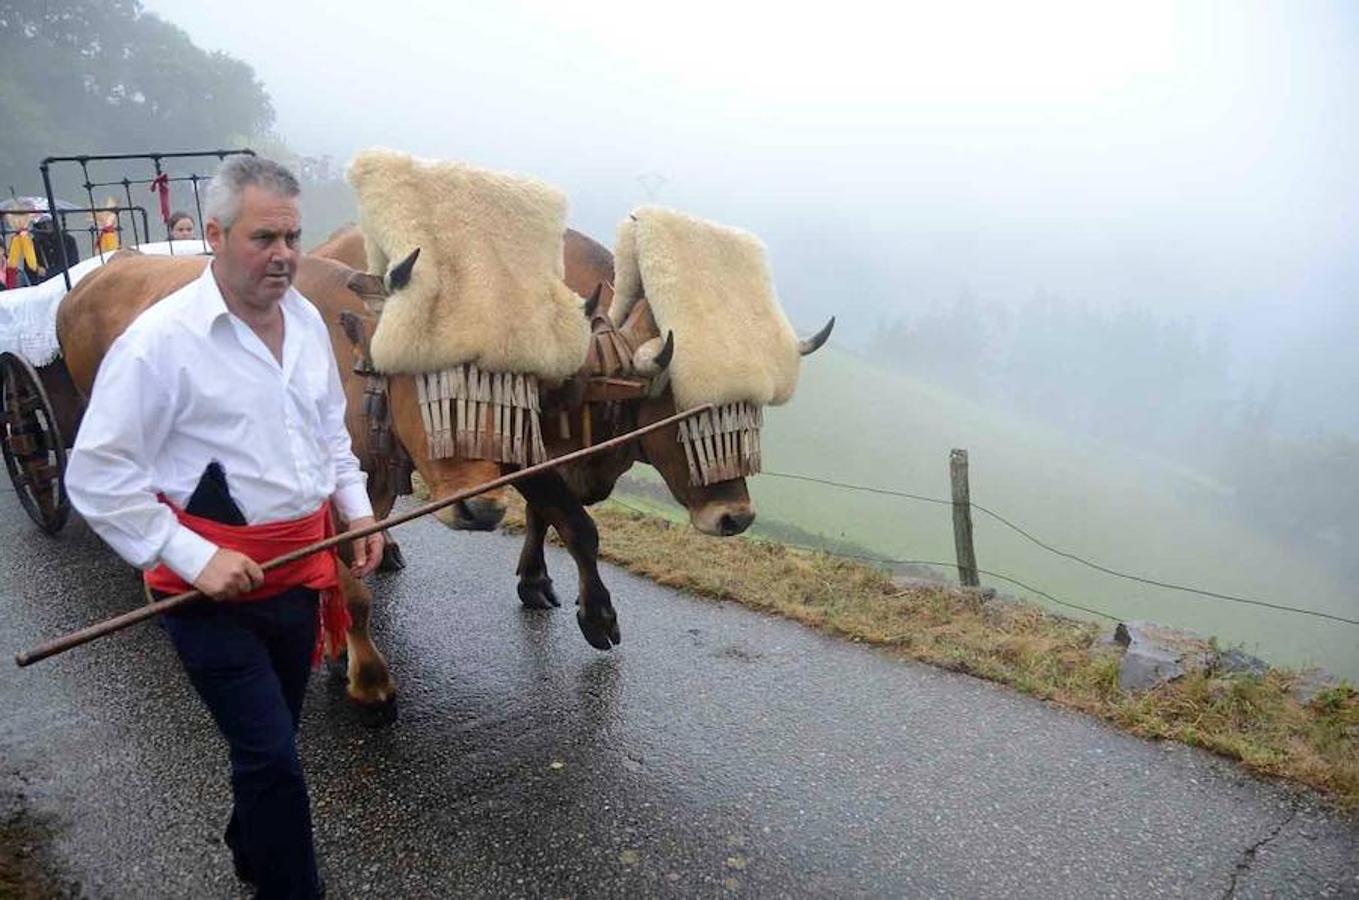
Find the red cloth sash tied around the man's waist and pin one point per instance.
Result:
(264, 543)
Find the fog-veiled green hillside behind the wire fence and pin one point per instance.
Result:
(860, 423)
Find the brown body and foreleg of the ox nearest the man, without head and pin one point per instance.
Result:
(107, 301)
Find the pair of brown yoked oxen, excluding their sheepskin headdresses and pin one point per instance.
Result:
(107, 301)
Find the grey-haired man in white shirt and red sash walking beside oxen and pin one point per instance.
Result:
(217, 426)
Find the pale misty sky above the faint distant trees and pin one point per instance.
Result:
(1197, 158)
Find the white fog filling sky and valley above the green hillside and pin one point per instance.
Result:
(1134, 224)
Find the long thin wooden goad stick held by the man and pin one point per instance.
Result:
(118, 623)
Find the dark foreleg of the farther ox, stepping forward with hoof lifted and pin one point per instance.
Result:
(563, 510)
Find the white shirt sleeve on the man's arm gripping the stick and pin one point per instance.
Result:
(109, 478)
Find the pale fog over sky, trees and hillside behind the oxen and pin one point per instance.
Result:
(1107, 249)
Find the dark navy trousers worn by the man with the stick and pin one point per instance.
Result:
(251, 663)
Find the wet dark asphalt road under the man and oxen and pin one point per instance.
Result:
(716, 752)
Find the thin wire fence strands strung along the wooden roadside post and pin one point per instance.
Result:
(1029, 536)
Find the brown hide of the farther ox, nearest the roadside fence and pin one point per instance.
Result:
(718, 509)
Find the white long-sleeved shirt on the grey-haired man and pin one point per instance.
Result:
(188, 384)
